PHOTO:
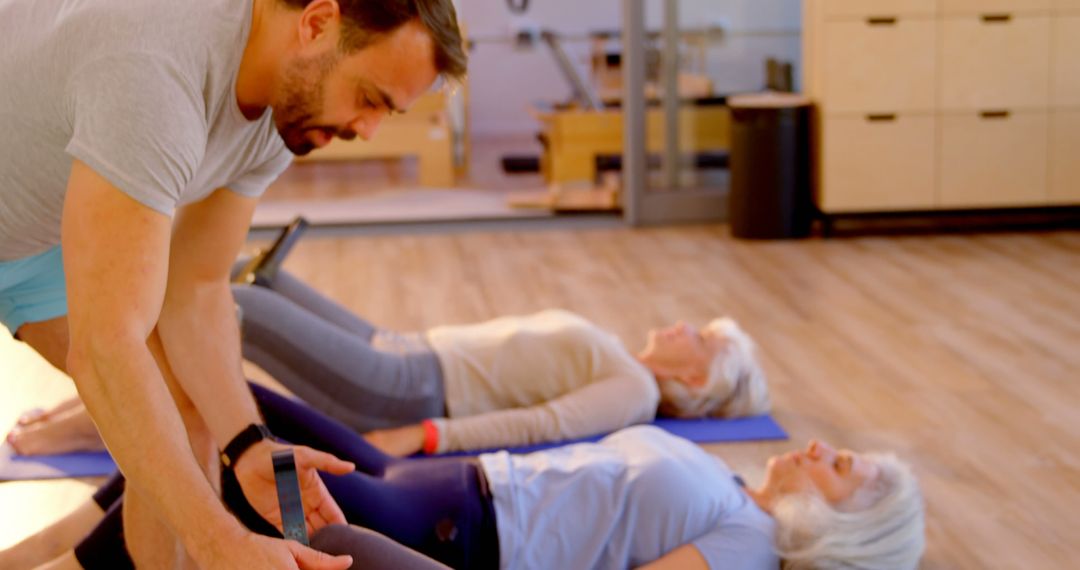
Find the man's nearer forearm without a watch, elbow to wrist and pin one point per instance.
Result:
(119, 382)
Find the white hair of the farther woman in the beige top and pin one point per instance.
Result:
(735, 387)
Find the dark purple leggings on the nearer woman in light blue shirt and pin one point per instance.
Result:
(439, 507)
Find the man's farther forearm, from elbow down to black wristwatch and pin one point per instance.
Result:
(201, 341)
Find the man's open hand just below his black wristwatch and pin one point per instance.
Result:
(255, 473)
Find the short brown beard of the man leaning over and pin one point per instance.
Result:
(302, 102)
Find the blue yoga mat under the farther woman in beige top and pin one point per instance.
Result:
(97, 464)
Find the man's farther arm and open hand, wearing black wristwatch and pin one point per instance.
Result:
(201, 341)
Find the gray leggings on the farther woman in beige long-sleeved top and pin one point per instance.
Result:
(339, 363)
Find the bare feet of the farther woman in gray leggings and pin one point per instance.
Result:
(67, 431)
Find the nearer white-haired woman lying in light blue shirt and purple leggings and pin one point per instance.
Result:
(639, 498)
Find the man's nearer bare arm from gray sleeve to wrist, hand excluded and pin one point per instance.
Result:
(116, 253)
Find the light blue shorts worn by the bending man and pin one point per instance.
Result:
(33, 290)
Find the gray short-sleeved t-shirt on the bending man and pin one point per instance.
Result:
(144, 92)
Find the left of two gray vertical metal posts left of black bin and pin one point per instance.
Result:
(633, 110)
